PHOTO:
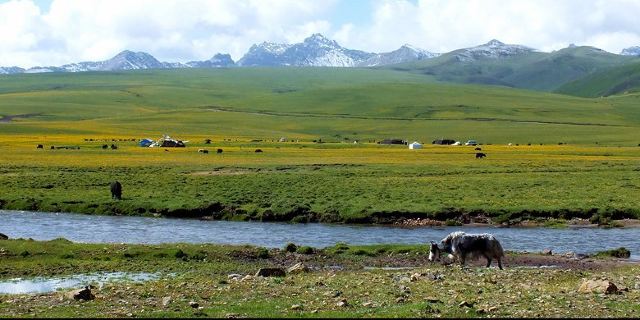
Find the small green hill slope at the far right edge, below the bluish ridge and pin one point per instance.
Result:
(618, 80)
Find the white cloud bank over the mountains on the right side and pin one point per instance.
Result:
(445, 25)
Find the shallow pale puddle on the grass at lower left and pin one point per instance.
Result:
(44, 285)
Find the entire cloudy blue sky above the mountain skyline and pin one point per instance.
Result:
(55, 32)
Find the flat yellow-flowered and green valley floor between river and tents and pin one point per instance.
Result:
(330, 182)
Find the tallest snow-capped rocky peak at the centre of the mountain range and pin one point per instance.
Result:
(315, 50)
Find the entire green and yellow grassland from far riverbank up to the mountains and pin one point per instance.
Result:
(594, 171)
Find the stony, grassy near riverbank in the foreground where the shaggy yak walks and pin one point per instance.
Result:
(218, 281)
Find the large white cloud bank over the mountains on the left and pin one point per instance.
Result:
(171, 30)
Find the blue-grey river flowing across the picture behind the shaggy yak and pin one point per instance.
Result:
(119, 229)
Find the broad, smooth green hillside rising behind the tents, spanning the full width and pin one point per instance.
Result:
(307, 103)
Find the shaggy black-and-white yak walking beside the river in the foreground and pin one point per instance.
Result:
(460, 245)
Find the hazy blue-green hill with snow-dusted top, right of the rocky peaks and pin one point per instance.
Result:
(534, 70)
